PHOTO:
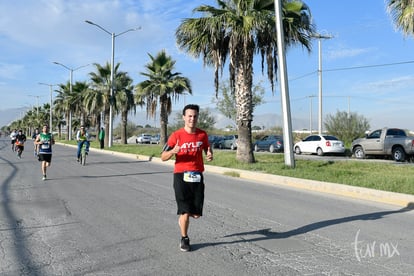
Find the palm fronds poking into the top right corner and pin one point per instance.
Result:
(402, 12)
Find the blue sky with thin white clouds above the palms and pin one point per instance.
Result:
(367, 65)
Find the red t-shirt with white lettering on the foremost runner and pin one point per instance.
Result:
(190, 156)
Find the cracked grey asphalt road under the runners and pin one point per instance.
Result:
(117, 216)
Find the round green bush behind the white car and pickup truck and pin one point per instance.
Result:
(346, 126)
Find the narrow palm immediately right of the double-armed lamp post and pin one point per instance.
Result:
(124, 101)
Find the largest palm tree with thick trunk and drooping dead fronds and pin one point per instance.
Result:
(237, 30)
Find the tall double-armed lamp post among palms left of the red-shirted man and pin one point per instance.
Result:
(113, 35)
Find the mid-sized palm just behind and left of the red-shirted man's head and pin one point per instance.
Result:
(162, 86)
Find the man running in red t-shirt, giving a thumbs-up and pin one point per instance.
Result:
(187, 145)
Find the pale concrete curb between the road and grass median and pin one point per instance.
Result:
(362, 193)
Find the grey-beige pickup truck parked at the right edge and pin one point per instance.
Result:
(386, 142)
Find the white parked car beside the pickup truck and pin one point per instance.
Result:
(320, 144)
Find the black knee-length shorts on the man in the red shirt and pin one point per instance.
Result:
(189, 195)
